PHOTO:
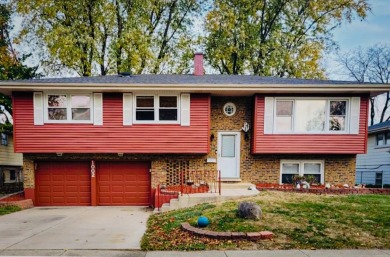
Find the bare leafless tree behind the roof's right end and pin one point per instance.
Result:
(370, 65)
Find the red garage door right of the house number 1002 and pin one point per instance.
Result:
(123, 183)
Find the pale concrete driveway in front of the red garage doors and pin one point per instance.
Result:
(74, 228)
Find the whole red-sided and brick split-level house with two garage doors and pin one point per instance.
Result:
(111, 140)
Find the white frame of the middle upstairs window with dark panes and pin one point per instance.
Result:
(156, 109)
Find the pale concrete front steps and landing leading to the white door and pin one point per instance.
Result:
(229, 191)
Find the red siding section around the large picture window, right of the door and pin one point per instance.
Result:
(313, 143)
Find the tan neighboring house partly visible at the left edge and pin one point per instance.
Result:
(10, 162)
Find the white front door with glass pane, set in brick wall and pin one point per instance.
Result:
(229, 154)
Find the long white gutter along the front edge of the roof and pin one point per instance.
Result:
(236, 89)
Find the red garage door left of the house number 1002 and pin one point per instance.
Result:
(63, 184)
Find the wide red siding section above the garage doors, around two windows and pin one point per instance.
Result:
(112, 137)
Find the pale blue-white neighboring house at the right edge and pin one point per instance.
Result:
(373, 168)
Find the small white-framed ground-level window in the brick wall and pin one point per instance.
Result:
(291, 168)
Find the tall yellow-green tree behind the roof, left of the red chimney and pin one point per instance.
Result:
(109, 36)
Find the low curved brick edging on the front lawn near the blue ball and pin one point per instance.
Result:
(253, 236)
